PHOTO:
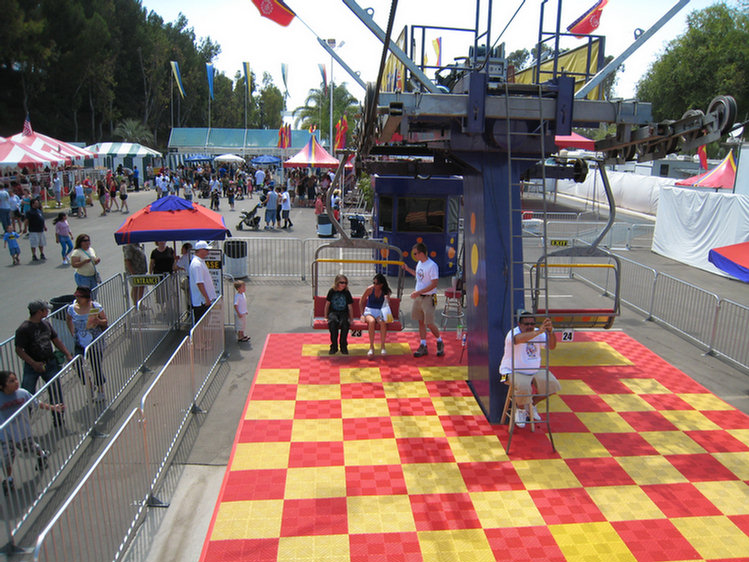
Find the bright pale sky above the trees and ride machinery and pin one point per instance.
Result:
(236, 25)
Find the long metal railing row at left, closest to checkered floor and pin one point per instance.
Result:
(123, 480)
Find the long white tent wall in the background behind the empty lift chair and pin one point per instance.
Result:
(631, 191)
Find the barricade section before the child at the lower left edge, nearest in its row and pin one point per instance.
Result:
(60, 435)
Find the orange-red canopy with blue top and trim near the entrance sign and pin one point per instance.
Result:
(172, 218)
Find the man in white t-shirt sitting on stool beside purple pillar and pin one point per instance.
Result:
(523, 354)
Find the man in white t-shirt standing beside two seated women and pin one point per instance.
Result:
(425, 298)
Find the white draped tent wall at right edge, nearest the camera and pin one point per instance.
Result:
(690, 223)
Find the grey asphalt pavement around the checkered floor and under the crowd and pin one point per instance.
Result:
(192, 486)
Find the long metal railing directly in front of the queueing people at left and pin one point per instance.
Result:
(88, 386)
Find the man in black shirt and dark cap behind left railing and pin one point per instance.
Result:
(34, 341)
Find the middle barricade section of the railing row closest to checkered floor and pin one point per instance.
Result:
(166, 408)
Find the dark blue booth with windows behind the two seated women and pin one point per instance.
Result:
(408, 210)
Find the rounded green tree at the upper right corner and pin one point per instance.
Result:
(711, 58)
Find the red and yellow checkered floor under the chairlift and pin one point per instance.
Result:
(391, 460)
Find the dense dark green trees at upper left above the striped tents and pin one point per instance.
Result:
(80, 77)
